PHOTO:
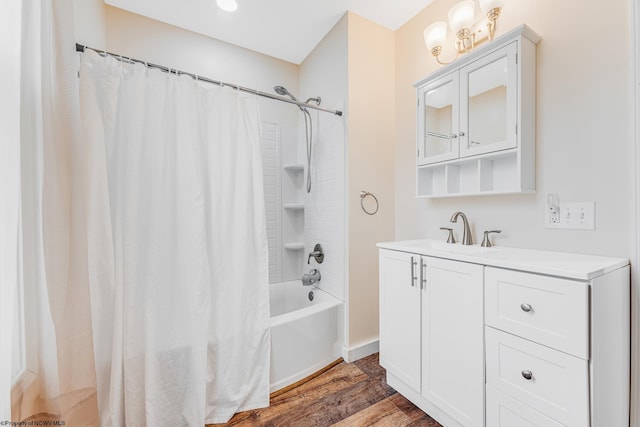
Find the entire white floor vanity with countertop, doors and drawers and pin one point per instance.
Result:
(503, 337)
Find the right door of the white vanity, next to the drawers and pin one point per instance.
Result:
(452, 339)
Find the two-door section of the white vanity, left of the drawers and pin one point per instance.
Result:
(431, 333)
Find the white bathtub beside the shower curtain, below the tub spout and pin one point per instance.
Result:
(304, 334)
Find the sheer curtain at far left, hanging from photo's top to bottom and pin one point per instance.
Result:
(56, 371)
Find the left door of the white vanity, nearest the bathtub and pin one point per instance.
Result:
(400, 316)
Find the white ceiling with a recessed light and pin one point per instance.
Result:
(285, 29)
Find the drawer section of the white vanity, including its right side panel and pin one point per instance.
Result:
(559, 346)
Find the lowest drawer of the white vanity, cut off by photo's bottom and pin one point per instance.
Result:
(505, 411)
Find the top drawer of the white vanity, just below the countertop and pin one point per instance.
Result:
(548, 310)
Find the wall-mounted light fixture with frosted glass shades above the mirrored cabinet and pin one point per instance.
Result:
(468, 34)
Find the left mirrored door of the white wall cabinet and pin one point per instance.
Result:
(439, 128)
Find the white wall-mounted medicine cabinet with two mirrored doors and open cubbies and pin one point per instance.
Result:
(476, 121)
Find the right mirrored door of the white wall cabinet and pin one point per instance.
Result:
(489, 103)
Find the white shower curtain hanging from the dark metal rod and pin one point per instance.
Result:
(177, 246)
